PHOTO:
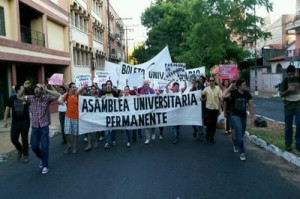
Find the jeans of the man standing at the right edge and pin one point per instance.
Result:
(289, 118)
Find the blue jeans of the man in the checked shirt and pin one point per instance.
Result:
(40, 143)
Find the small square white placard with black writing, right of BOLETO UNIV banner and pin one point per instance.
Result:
(175, 71)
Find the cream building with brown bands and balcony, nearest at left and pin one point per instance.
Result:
(34, 42)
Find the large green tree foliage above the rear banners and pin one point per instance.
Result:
(200, 32)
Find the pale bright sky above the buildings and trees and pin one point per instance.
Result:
(134, 8)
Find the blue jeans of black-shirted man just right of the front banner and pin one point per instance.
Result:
(239, 125)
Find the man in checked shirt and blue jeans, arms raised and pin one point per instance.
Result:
(40, 120)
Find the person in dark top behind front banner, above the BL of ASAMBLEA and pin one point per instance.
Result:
(110, 137)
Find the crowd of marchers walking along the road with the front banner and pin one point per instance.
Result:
(229, 97)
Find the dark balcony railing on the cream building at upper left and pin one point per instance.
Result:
(32, 37)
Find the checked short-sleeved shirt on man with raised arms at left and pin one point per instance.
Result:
(39, 109)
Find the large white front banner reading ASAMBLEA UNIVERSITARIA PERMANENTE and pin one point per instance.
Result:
(136, 112)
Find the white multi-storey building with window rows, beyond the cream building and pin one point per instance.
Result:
(96, 35)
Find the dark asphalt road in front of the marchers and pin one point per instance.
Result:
(160, 170)
